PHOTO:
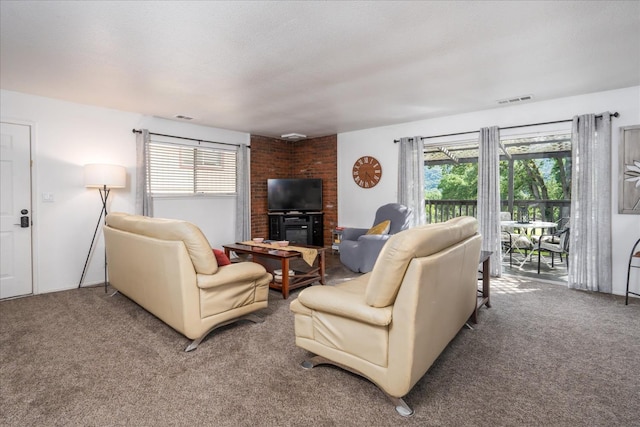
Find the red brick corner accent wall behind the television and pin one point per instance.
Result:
(310, 158)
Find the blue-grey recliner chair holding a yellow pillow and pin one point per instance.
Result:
(359, 251)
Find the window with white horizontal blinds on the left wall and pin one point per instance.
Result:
(185, 169)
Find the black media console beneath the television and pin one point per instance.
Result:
(302, 228)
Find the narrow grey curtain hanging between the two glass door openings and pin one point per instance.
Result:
(489, 195)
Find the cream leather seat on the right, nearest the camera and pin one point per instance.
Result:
(391, 324)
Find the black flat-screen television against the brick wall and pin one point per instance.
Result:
(294, 194)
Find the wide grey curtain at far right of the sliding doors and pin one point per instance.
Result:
(590, 229)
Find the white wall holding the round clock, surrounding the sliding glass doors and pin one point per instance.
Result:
(356, 206)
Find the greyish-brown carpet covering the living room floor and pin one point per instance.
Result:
(542, 355)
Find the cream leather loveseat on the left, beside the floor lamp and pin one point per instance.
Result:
(167, 266)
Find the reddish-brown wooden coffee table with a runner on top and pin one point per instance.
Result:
(260, 255)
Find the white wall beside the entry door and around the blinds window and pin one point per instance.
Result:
(66, 137)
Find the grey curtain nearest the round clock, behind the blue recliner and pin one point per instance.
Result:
(411, 178)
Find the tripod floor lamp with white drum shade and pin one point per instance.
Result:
(104, 178)
